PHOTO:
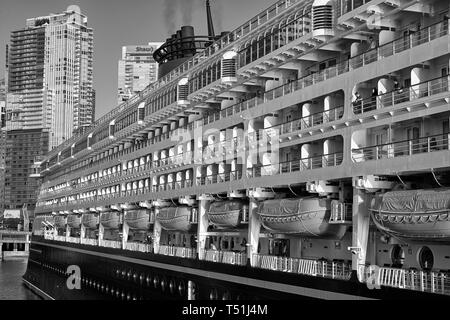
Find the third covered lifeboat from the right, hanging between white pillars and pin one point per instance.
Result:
(227, 214)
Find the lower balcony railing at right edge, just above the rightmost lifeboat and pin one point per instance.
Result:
(409, 147)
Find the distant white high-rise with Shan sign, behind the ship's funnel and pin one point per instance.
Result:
(137, 69)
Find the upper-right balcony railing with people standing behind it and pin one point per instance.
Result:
(399, 96)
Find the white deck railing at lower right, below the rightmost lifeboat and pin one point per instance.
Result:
(408, 279)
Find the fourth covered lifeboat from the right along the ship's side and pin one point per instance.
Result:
(175, 218)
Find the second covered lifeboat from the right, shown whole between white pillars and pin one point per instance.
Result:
(307, 217)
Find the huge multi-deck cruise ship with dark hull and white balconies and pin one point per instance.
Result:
(303, 155)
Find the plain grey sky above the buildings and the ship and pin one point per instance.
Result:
(117, 23)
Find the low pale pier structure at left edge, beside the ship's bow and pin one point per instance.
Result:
(14, 243)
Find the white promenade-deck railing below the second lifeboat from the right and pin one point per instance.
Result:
(316, 268)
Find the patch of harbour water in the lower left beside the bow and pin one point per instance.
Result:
(11, 286)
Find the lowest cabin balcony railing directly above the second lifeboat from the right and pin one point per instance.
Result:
(323, 161)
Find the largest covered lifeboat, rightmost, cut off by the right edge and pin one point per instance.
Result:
(414, 214)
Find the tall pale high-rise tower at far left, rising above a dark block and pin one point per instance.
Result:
(49, 68)
